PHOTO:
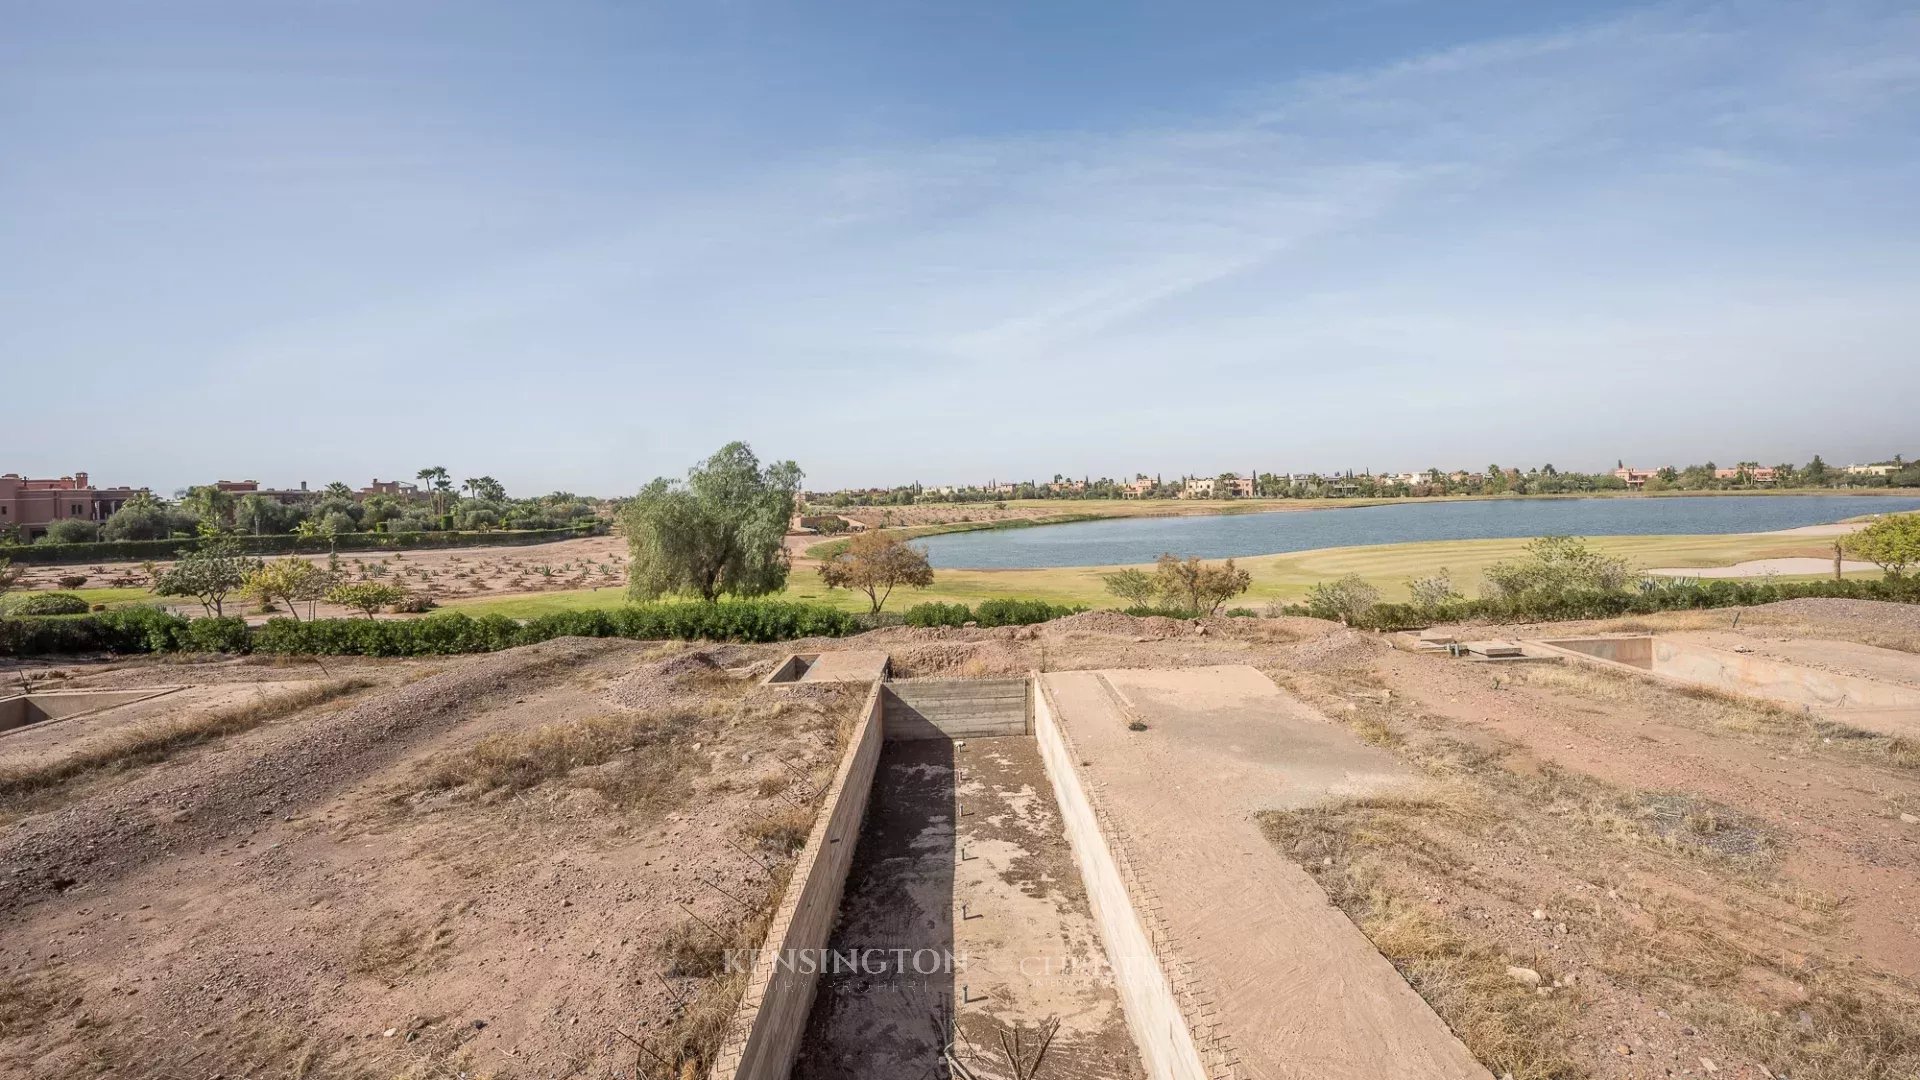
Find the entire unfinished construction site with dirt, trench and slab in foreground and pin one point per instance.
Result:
(1093, 848)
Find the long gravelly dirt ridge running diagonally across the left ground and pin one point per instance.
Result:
(258, 775)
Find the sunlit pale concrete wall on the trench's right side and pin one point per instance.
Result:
(1147, 994)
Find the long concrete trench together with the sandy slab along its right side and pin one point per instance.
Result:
(969, 896)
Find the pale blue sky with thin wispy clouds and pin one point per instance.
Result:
(583, 245)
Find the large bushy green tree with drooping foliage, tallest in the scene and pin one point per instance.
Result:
(721, 531)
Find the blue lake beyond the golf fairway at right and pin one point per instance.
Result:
(1222, 537)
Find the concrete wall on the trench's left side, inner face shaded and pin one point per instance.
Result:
(773, 1014)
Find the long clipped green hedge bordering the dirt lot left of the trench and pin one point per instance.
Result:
(155, 631)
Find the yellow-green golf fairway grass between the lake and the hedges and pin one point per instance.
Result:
(1276, 577)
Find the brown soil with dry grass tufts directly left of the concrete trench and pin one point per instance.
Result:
(308, 898)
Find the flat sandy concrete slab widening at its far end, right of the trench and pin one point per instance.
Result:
(1297, 989)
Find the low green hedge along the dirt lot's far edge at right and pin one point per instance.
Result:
(1558, 608)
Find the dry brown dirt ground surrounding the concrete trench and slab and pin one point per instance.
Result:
(512, 866)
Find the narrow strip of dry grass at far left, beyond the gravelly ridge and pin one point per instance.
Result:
(24, 787)
